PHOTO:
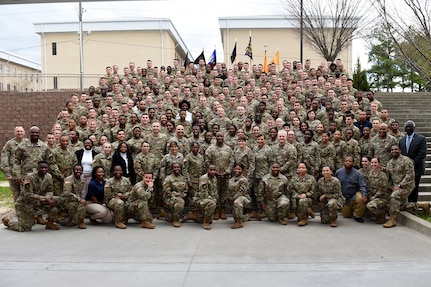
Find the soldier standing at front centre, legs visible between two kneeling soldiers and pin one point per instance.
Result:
(221, 156)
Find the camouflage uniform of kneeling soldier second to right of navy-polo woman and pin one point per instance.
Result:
(137, 202)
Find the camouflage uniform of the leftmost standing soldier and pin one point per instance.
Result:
(7, 161)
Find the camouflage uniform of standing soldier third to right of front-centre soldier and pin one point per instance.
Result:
(286, 156)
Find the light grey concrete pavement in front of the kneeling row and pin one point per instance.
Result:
(260, 254)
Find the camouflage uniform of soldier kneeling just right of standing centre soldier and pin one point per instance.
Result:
(239, 190)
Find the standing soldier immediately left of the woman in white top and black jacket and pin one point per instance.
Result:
(62, 160)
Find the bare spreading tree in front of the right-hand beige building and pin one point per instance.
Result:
(328, 26)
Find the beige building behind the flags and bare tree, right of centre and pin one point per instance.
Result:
(270, 33)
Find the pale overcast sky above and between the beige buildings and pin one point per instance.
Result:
(195, 20)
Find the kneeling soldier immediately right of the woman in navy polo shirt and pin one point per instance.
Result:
(117, 190)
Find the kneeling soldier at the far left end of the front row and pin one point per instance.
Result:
(36, 194)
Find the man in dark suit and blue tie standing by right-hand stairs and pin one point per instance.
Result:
(414, 146)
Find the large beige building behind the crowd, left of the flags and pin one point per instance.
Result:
(105, 43)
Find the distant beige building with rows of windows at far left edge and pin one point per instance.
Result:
(18, 73)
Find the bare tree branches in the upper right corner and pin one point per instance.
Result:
(410, 21)
